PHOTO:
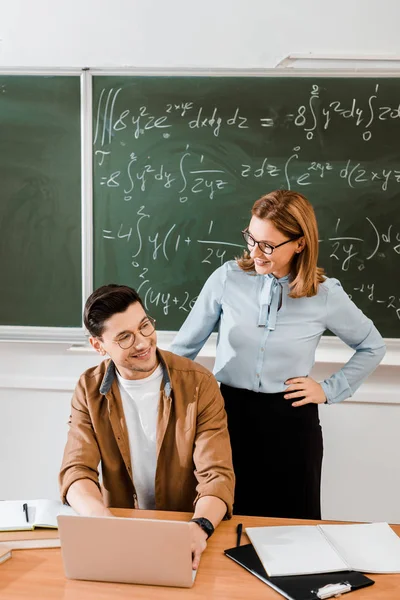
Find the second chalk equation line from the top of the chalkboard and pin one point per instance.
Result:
(194, 175)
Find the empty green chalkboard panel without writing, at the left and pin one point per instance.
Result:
(40, 201)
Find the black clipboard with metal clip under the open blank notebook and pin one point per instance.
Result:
(295, 587)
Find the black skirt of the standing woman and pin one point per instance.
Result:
(277, 455)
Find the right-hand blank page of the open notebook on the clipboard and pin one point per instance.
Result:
(369, 548)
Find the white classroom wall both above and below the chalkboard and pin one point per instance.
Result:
(362, 443)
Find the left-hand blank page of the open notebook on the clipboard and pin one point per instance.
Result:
(294, 550)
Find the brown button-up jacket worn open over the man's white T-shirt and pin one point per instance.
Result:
(193, 449)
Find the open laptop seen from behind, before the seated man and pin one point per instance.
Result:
(147, 551)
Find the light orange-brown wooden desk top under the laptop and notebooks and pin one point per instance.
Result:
(39, 575)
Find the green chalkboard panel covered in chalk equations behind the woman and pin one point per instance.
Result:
(179, 160)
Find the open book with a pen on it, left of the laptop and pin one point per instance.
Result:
(21, 515)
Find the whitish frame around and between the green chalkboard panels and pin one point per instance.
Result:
(78, 335)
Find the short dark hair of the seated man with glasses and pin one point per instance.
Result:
(105, 302)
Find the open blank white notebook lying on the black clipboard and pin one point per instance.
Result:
(307, 549)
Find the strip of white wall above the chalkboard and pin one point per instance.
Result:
(178, 33)
